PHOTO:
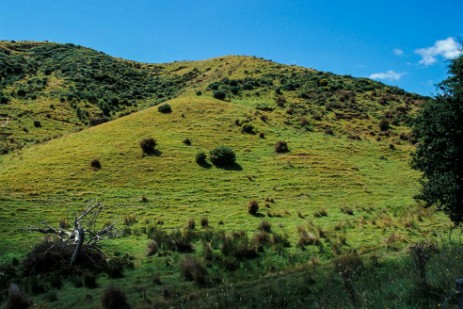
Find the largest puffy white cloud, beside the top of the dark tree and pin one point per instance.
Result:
(447, 49)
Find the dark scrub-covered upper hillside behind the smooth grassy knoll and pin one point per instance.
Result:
(48, 90)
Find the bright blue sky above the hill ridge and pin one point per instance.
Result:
(405, 43)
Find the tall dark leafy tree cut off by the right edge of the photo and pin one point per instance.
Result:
(439, 154)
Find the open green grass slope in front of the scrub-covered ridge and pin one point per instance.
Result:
(351, 197)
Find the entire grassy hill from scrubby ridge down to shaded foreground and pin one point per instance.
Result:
(343, 193)
